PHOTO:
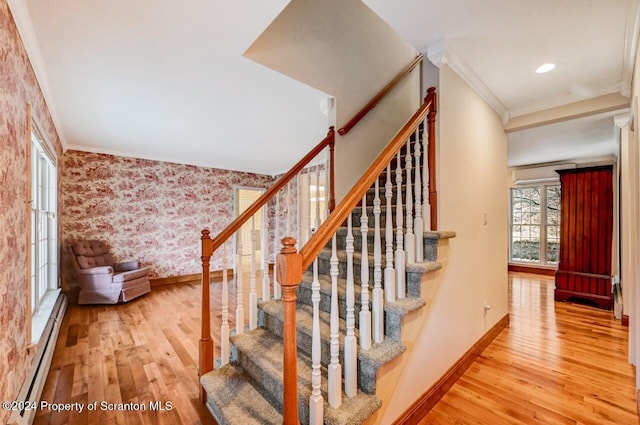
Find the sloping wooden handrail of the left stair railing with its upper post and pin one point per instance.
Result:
(273, 190)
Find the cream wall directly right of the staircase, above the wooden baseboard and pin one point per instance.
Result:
(472, 157)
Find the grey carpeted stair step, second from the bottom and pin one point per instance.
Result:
(260, 352)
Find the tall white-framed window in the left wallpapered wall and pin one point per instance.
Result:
(44, 252)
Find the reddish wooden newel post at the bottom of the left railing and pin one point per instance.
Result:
(206, 343)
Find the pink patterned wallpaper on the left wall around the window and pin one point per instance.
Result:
(18, 86)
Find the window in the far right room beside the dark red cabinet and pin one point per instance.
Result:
(535, 225)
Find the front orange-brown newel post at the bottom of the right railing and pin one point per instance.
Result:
(289, 267)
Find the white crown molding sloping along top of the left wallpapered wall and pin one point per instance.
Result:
(22, 18)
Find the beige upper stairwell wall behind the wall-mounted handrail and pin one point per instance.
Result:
(343, 48)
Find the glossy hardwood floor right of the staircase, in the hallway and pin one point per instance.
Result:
(557, 363)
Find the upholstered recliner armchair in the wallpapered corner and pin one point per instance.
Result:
(101, 279)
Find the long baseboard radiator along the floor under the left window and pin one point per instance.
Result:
(31, 390)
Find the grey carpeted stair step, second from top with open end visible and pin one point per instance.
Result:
(414, 271)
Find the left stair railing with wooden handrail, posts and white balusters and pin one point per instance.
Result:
(281, 195)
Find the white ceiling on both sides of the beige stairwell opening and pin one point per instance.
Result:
(167, 80)
